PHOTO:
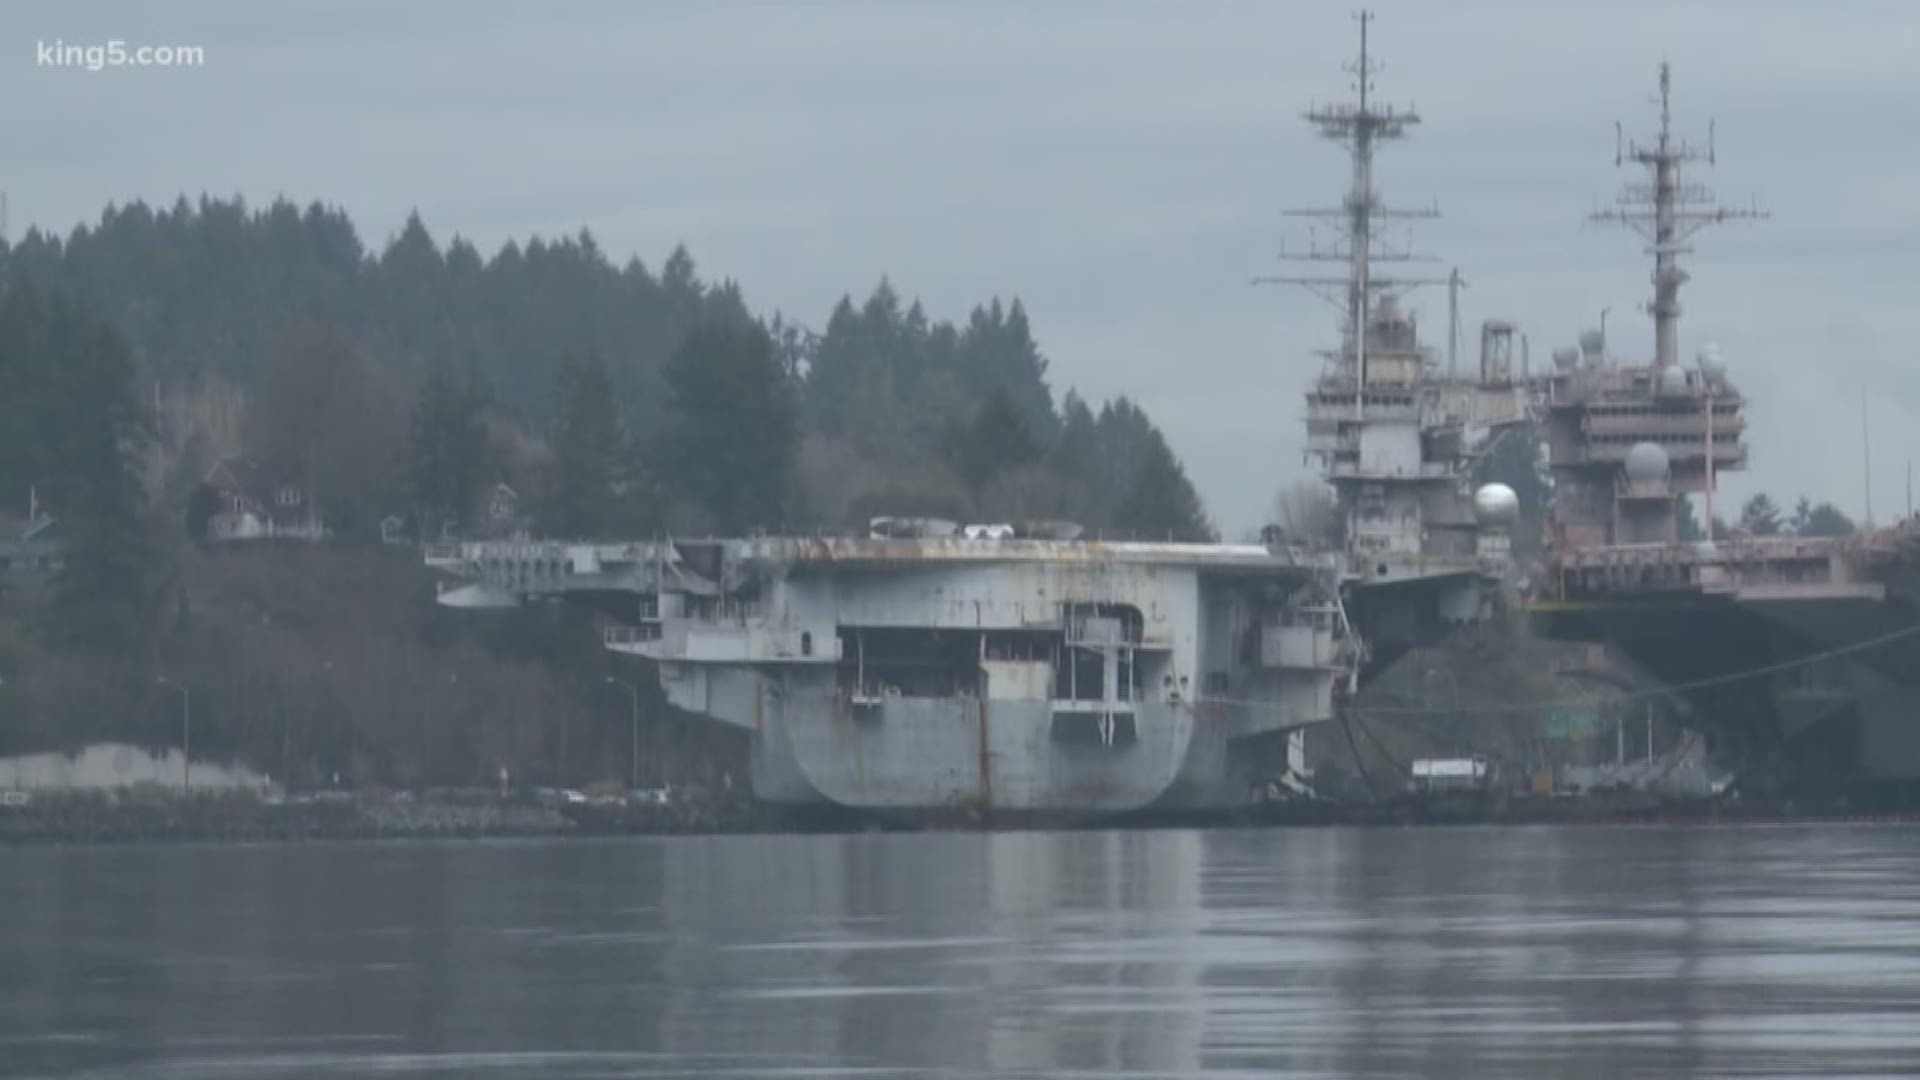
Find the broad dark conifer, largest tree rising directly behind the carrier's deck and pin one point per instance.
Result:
(731, 431)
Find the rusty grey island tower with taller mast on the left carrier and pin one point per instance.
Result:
(1397, 433)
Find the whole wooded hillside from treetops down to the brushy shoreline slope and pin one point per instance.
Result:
(408, 381)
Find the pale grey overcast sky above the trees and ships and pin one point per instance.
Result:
(1122, 168)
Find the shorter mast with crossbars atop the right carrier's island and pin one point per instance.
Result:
(1668, 210)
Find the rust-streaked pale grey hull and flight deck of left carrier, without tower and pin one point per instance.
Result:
(934, 668)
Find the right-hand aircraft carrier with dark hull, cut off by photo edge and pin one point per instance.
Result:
(1798, 654)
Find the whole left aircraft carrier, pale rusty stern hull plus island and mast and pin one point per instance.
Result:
(1024, 670)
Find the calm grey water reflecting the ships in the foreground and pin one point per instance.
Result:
(1522, 952)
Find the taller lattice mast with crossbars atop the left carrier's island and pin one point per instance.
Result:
(1360, 126)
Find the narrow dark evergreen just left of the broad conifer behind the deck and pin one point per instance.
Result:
(588, 454)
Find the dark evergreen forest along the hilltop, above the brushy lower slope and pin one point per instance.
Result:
(884, 408)
